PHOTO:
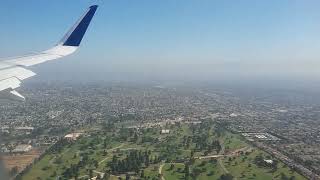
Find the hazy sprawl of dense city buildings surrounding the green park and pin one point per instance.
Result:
(285, 123)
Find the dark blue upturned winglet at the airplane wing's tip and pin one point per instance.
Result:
(76, 33)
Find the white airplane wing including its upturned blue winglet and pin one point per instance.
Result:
(14, 70)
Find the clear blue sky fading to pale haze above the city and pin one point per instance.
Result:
(196, 39)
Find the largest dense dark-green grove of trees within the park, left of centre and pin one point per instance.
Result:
(132, 163)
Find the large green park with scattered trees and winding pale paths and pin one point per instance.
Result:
(202, 151)
